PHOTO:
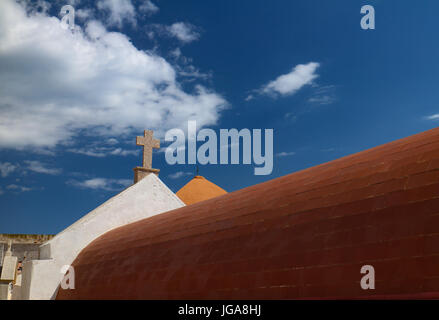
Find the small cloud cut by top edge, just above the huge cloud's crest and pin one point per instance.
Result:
(118, 11)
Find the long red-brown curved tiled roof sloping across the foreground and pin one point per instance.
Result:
(304, 235)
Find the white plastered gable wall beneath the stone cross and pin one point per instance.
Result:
(146, 198)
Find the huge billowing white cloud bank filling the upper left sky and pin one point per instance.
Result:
(56, 84)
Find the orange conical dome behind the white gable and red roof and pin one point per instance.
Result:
(199, 189)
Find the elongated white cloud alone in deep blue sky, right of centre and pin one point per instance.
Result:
(290, 83)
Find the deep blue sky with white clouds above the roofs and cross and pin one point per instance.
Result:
(71, 106)
